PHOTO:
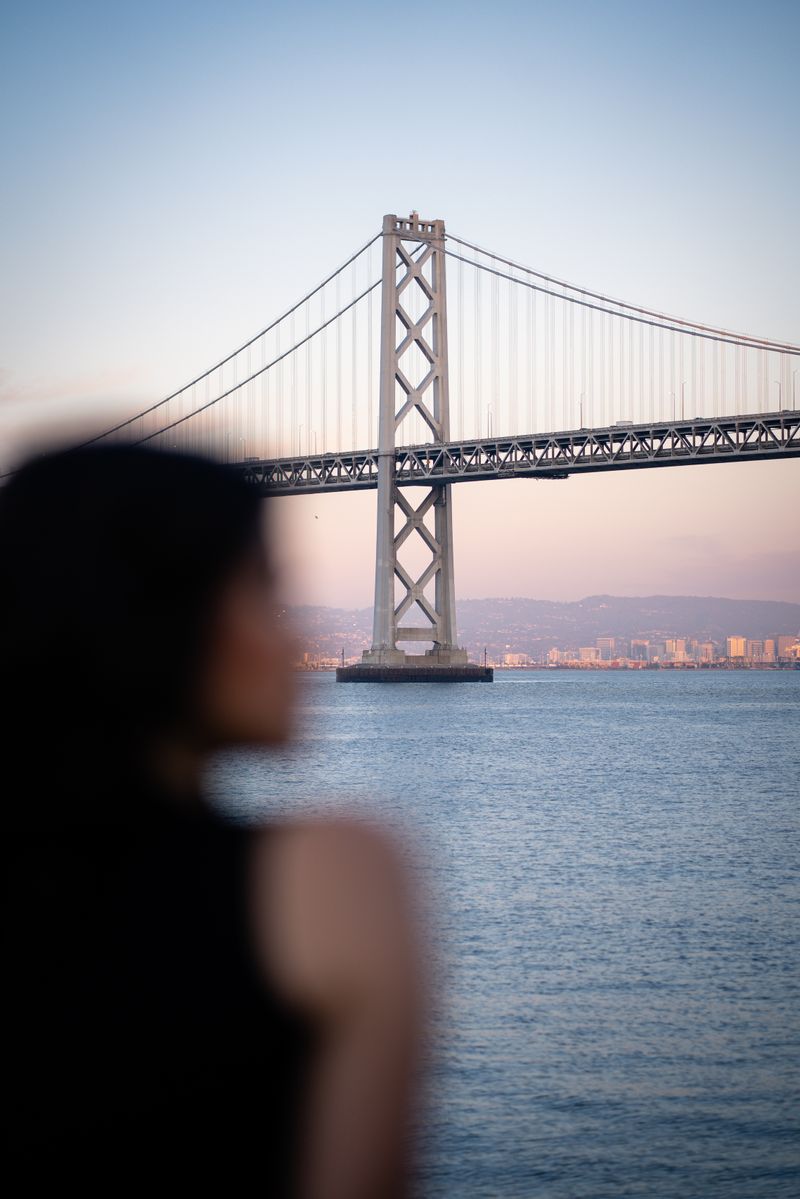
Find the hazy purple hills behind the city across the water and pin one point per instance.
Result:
(527, 626)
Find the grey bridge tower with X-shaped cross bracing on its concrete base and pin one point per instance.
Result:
(413, 382)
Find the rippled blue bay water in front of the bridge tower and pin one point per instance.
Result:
(610, 864)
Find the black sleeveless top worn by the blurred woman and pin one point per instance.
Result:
(142, 1043)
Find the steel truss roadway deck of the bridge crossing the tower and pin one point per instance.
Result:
(622, 447)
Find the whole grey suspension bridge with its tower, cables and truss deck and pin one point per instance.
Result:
(425, 361)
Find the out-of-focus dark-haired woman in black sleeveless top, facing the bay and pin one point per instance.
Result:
(188, 1003)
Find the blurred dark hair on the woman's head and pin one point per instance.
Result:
(111, 562)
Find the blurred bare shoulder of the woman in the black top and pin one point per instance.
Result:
(332, 912)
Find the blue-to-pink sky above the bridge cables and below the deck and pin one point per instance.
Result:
(175, 176)
